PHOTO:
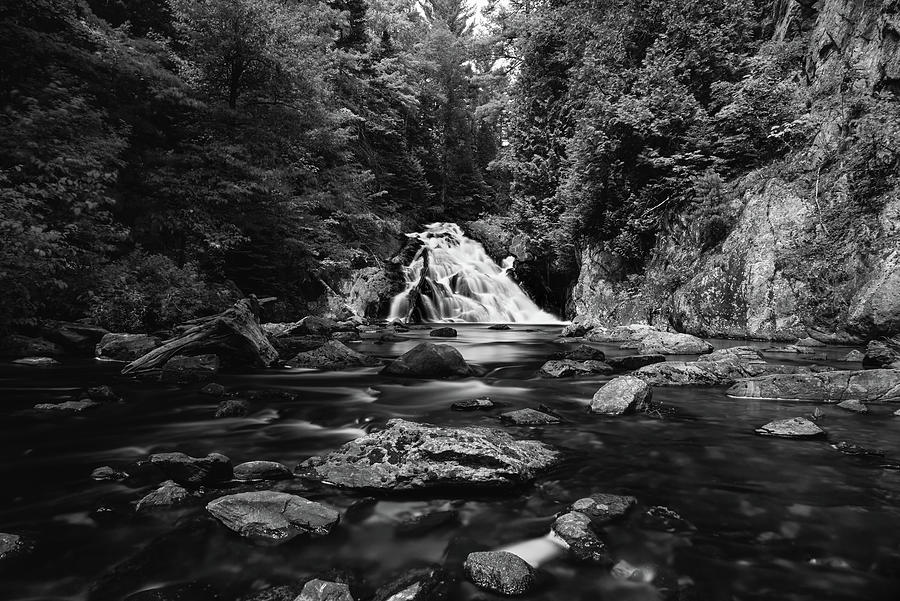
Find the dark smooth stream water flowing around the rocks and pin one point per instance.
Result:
(763, 508)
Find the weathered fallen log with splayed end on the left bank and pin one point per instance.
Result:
(234, 335)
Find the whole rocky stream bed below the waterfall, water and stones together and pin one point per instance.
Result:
(143, 493)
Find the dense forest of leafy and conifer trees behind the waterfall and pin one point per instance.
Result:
(162, 157)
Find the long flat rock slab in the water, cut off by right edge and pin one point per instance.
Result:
(871, 385)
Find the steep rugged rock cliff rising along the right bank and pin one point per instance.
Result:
(800, 257)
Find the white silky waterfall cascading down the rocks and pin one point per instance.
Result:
(471, 286)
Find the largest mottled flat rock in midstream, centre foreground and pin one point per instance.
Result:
(411, 456)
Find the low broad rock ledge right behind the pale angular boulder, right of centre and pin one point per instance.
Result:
(719, 368)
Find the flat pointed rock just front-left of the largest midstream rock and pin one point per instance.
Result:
(273, 516)
